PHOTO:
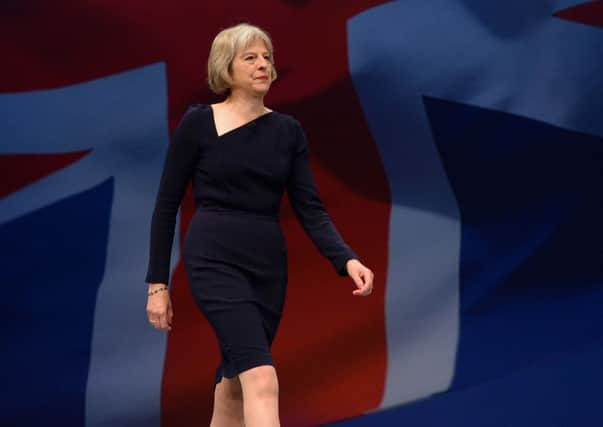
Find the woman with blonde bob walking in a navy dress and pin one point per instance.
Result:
(241, 157)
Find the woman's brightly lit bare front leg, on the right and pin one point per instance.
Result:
(260, 393)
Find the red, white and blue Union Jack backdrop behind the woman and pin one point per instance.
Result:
(457, 145)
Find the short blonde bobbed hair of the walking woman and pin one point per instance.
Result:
(223, 50)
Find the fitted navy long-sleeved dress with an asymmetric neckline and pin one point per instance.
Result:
(234, 249)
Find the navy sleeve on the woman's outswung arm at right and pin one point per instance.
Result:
(310, 210)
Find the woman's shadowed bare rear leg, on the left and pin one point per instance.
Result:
(228, 404)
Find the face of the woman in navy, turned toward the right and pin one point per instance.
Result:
(251, 69)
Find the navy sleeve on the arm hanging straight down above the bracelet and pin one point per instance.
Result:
(178, 167)
